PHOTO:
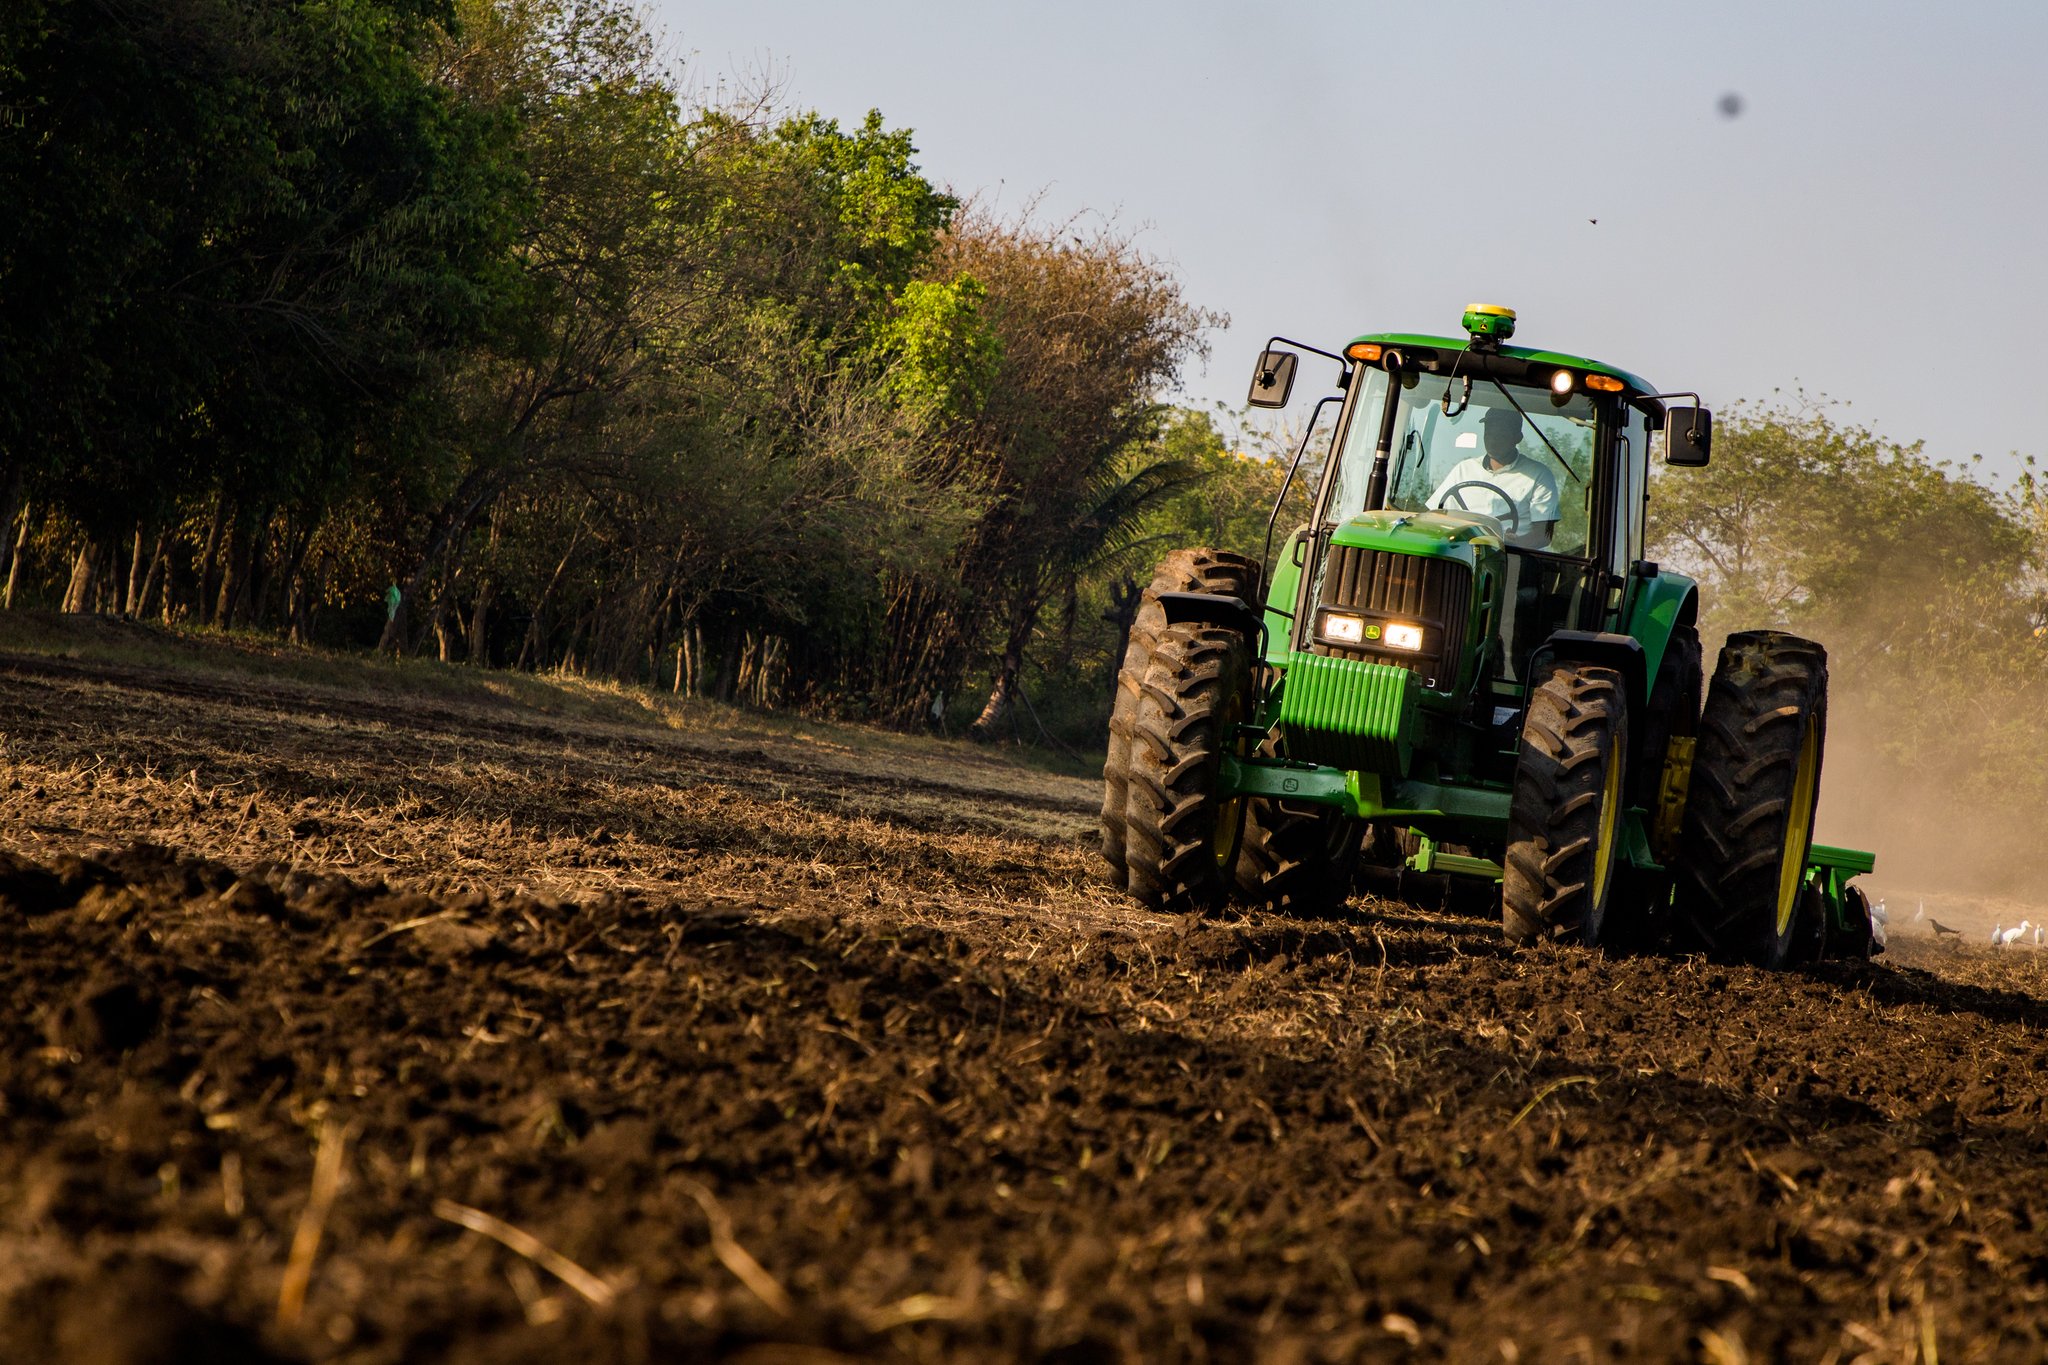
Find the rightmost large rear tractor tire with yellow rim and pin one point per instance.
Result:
(1756, 781)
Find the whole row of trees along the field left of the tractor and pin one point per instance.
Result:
(460, 328)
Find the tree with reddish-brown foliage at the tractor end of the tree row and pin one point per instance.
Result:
(1091, 331)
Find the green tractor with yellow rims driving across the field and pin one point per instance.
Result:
(1465, 666)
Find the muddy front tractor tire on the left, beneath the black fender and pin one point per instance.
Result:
(1181, 834)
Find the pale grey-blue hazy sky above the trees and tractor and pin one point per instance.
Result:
(1869, 228)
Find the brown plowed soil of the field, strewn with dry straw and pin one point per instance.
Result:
(357, 1024)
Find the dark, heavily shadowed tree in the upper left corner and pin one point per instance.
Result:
(245, 238)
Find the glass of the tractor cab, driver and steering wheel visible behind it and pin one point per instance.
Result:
(1510, 453)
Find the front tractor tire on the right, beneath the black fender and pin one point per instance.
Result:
(1570, 801)
